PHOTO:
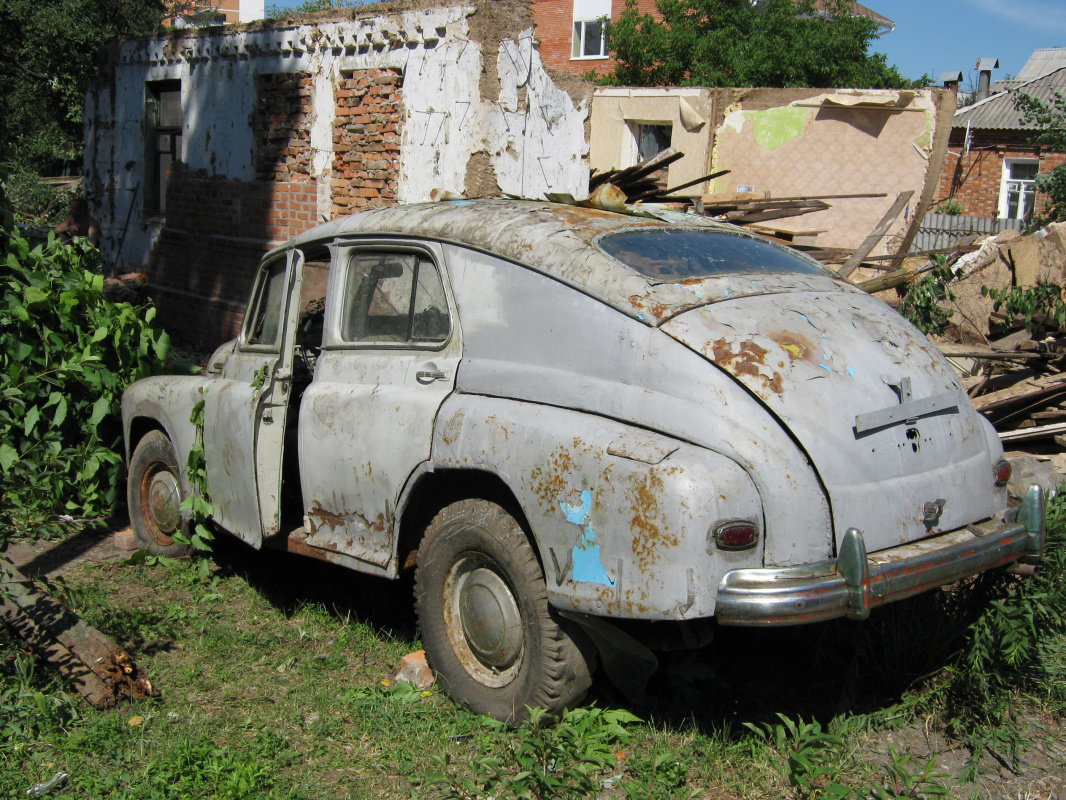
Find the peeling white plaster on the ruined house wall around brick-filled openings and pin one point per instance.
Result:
(536, 148)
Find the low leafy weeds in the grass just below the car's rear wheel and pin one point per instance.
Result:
(544, 758)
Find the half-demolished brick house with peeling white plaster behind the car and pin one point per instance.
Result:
(207, 148)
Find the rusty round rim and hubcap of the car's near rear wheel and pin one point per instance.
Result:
(484, 622)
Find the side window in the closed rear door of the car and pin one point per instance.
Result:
(396, 298)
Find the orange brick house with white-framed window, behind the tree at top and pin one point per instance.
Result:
(572, 34)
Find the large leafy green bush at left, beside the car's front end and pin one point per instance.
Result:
(67, 354)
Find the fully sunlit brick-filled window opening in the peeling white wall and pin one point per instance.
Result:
(366, 140)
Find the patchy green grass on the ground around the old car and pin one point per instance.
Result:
(276, 680)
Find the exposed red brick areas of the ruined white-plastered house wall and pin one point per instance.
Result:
(202, 268)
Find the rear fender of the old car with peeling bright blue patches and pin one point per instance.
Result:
(622, 517)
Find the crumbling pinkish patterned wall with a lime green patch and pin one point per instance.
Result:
(810, 142)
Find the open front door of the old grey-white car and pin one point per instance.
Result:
(246, 409)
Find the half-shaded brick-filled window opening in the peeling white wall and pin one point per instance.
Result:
(282, 125)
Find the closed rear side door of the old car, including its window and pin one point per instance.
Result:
(387, 363)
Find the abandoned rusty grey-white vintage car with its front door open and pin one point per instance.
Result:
(566, 421)
